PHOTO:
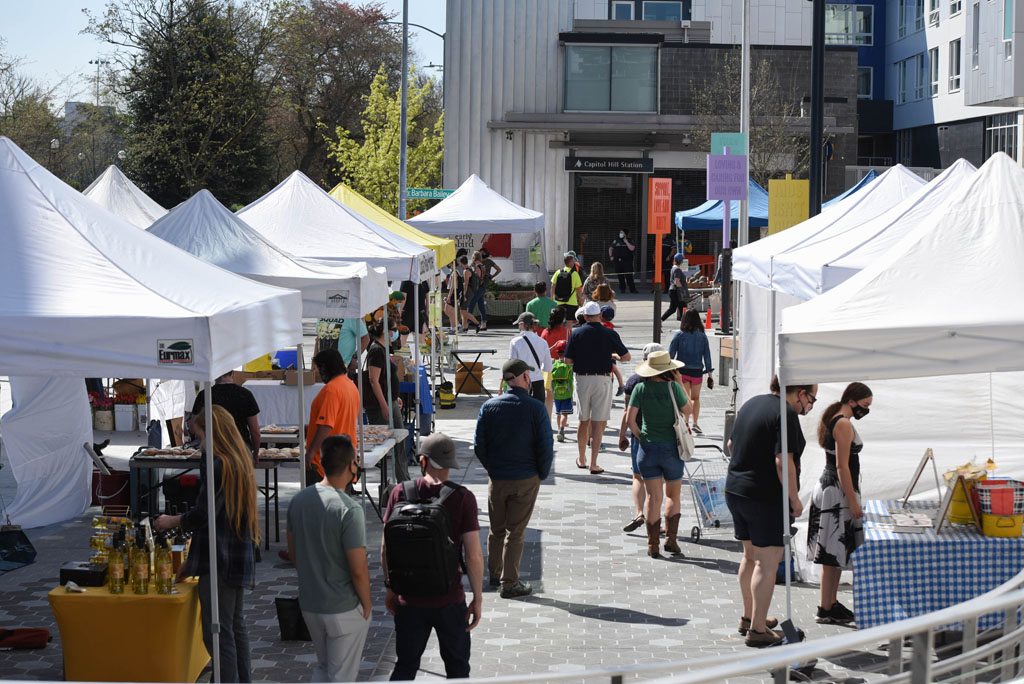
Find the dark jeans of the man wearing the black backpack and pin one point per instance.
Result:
(412, 630)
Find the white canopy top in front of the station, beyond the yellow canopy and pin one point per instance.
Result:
(475, 208)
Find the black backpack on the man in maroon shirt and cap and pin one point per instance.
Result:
(423, 559)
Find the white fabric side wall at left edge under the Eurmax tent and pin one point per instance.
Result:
(44, 436)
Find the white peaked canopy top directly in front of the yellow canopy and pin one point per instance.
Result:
(301, 218)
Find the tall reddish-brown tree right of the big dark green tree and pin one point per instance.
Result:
(325, 57)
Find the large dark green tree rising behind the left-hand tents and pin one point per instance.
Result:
(193, 76)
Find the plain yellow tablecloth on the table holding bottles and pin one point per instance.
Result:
(129, 637)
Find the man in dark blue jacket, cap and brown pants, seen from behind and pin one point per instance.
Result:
(516, 447)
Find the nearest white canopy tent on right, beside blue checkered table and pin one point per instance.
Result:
(893, 320)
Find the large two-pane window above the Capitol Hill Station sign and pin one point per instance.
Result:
(621, 78)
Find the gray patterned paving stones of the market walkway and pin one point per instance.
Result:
(600, 602)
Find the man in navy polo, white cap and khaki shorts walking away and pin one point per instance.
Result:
(591, 350)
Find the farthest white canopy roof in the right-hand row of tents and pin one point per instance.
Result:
(753, 264)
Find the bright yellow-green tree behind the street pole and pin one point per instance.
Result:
(370, 165)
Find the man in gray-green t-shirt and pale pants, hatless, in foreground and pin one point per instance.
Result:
(327, 538)
